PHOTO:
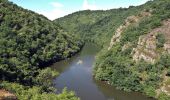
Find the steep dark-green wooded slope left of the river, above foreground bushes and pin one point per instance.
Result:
(29, 41)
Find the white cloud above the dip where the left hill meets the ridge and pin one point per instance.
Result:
(55, 13)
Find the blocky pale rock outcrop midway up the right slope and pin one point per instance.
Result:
(146, 49)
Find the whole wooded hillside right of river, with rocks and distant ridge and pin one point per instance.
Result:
(135, 54)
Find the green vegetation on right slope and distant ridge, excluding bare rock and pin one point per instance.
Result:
(116, 66)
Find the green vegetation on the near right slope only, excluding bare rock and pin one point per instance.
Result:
(118, 68)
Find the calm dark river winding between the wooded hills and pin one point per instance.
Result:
(76, 75)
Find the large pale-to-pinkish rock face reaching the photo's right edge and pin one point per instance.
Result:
(147, 49)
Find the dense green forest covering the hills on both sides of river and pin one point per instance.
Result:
(29, 42)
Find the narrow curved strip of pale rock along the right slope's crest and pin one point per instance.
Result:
(130, 20)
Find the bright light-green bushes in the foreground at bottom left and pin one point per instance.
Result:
(36, 93)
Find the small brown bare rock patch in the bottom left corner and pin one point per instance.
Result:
(5, 95)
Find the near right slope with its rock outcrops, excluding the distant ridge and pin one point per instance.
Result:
(138, 57)
